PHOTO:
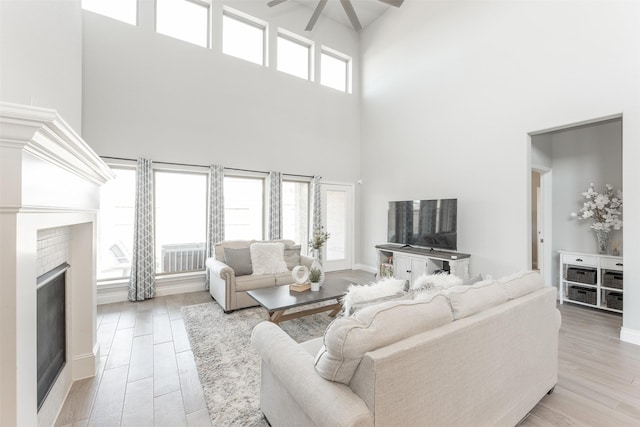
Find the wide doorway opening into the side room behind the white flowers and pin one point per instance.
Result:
(576, 155)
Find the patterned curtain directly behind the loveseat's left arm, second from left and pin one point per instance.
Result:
(215, 214)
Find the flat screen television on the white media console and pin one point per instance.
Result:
(424, 223)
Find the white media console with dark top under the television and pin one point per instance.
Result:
(406, 262)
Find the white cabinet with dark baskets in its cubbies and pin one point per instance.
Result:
(591, 280)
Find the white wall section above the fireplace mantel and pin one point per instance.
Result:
(41, 55)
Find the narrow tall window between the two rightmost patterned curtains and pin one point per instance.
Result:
(295, 212)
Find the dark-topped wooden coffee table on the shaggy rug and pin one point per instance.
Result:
(277, 300)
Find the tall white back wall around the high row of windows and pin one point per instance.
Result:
(147, 94)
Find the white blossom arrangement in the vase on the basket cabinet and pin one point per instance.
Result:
(604, 209)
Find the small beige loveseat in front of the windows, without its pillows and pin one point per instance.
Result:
(229, 288)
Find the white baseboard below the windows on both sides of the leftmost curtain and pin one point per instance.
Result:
(165, 286)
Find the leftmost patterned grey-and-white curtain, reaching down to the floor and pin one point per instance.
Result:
(142, 283)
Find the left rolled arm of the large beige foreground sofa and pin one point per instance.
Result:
(326, 403)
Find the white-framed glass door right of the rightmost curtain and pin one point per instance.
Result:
(337, 212)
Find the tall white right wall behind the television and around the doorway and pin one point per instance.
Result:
(450, 92)
